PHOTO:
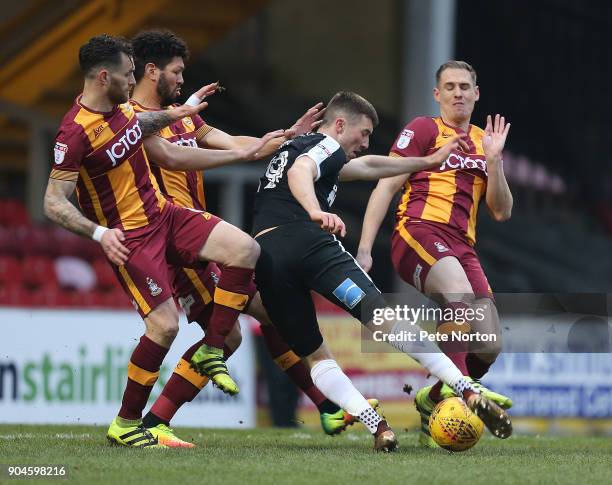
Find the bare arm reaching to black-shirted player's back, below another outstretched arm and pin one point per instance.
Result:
(182, 158)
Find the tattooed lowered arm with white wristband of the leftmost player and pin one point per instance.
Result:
(61, 211)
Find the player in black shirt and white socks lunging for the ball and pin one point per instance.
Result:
(300, 252)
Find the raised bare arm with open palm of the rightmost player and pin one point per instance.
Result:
(499, 198)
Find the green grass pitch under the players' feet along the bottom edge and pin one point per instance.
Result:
(275, 456)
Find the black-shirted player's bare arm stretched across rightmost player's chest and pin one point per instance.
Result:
(374, 167)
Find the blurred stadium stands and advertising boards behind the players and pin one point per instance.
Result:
(542, 64)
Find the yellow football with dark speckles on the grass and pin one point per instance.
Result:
(454, 426)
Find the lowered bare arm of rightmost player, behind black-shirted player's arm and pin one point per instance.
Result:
(378, 205)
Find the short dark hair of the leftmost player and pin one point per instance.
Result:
(102, 50)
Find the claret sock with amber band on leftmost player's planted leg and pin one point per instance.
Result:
(143, 371)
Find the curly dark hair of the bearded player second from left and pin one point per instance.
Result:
(158, 47)
